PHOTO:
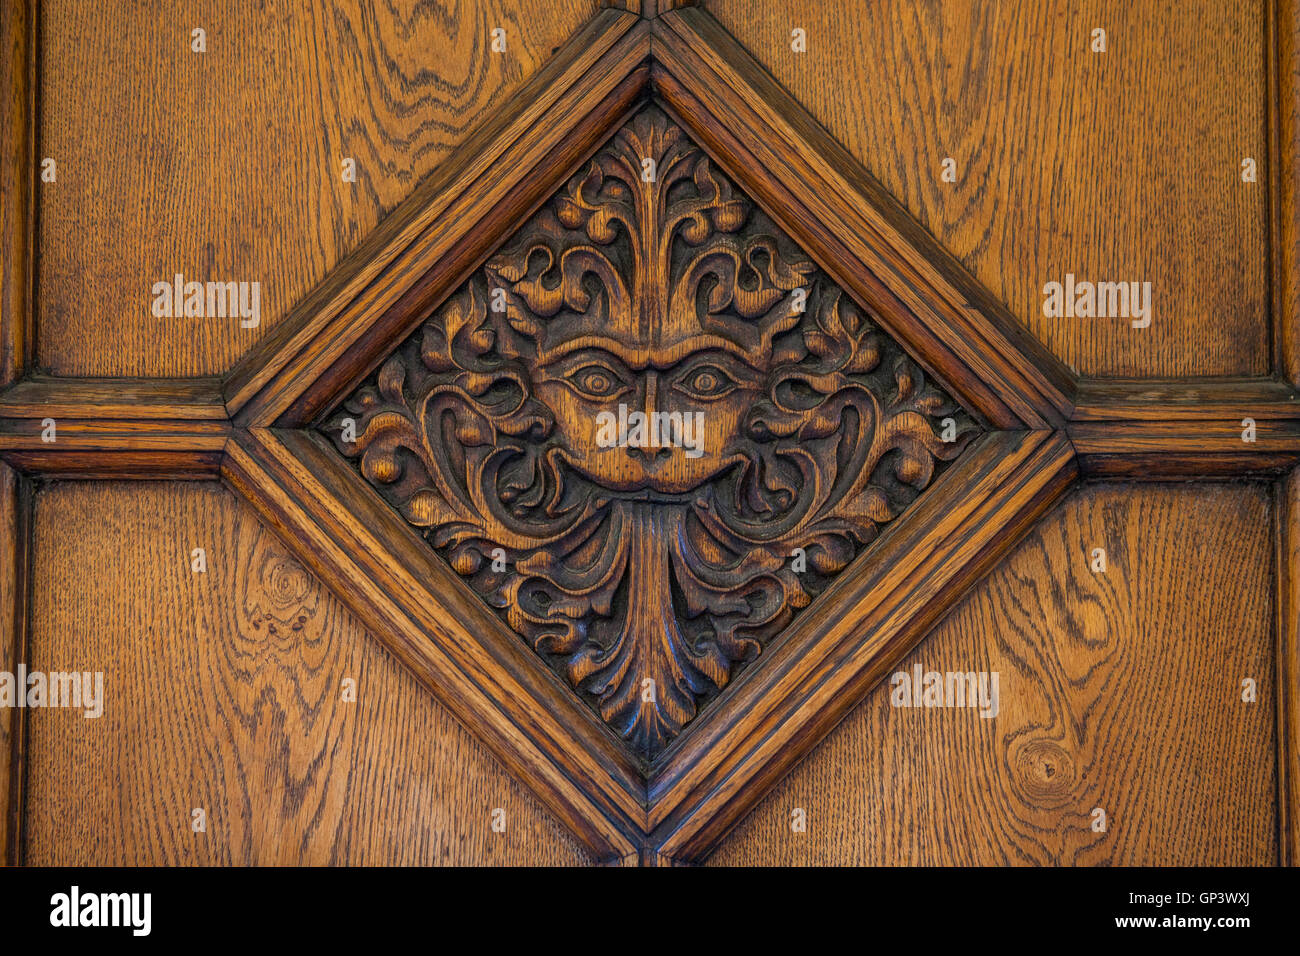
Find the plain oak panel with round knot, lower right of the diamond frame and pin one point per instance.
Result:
(1117, 690)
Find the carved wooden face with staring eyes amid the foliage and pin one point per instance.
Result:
(648, 426)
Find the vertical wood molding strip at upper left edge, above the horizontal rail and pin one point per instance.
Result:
(19, 57)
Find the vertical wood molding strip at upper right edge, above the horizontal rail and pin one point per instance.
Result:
(1282, 37)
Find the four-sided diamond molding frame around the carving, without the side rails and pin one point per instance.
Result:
(677, 806)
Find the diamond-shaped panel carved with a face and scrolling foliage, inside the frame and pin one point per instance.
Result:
(649, 431)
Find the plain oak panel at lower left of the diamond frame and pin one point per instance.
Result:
(224, 693)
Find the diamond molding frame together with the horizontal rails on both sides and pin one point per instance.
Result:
(254, 429)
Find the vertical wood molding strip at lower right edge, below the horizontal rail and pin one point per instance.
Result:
(1288, 678)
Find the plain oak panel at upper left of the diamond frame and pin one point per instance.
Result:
(227, 166)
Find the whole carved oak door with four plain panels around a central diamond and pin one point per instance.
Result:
(657, 434)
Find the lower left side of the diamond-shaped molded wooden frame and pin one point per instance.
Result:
(450, 641)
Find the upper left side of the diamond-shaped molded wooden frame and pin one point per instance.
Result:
(456, 217)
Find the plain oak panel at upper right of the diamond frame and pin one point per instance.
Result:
(1119, 166)
